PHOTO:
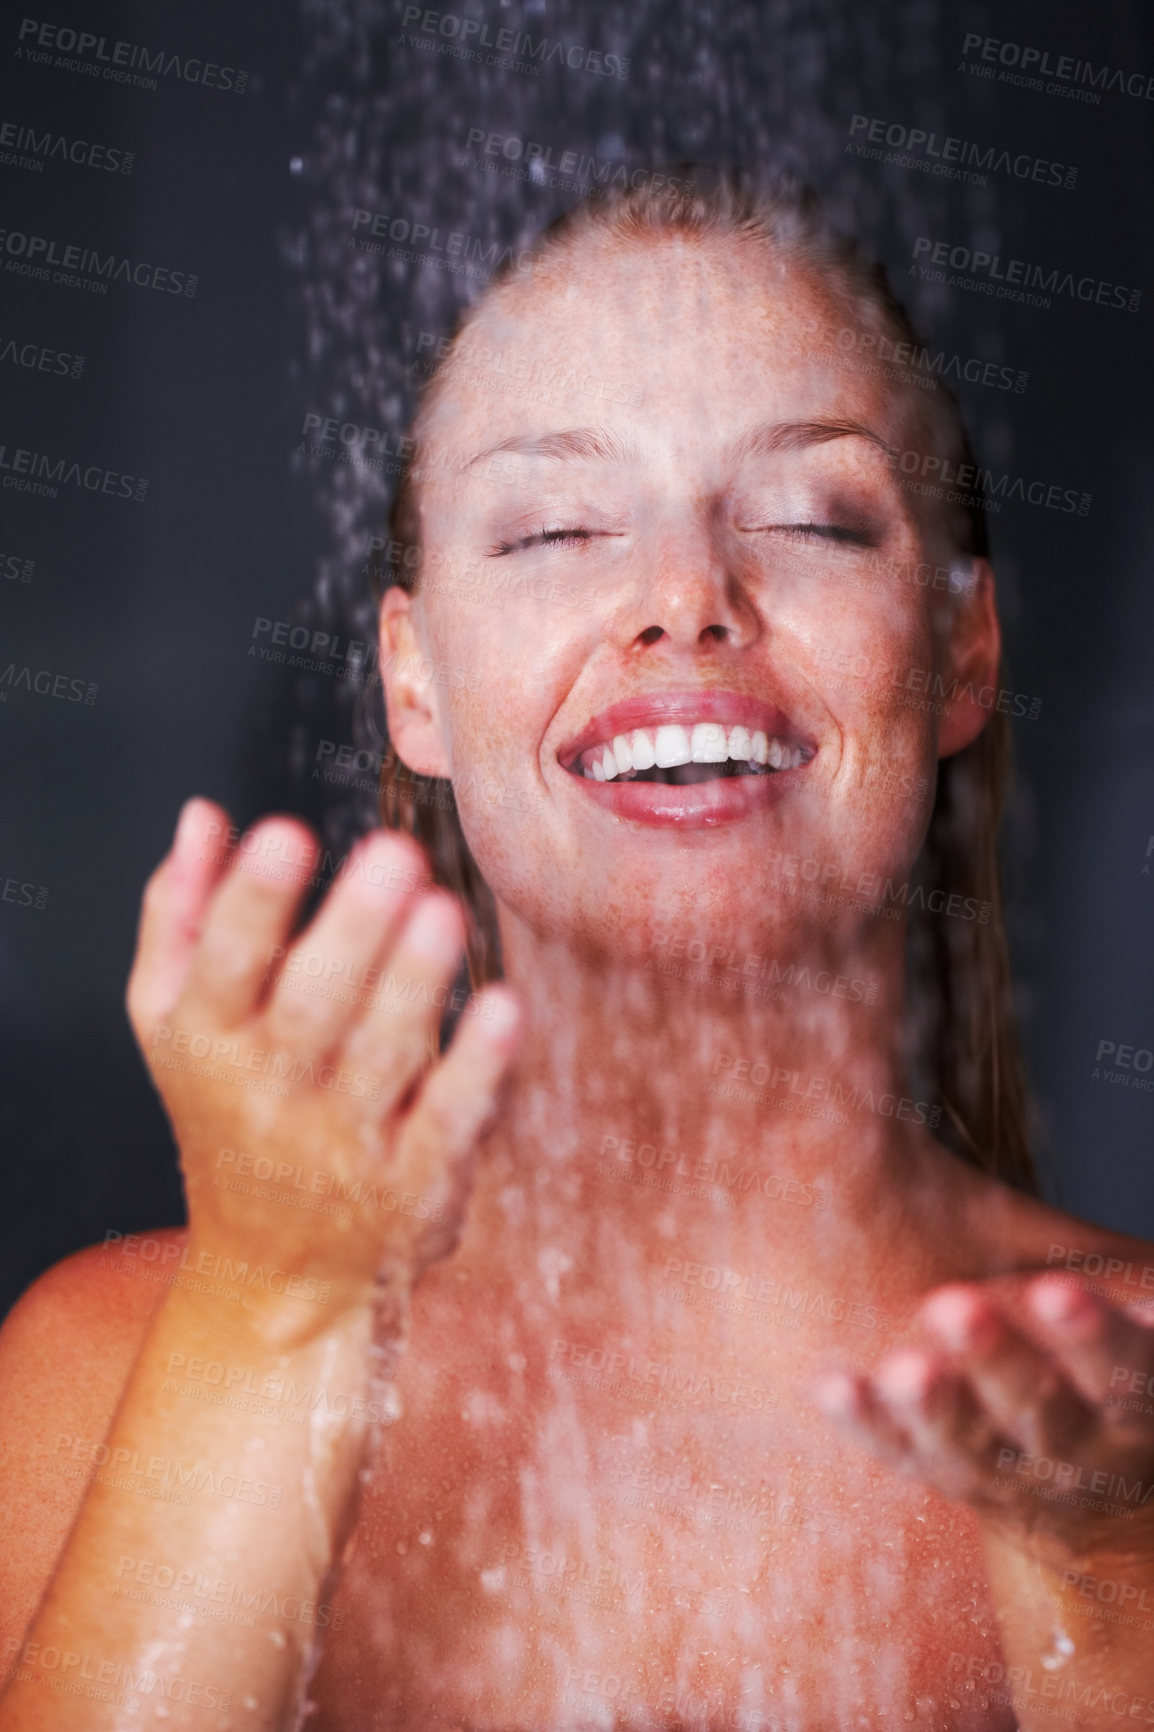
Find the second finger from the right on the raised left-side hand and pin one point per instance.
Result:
(398, 1037)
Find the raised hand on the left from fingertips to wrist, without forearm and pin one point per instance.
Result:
(320, 1135)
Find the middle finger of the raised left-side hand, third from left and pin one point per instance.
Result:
(328, 974)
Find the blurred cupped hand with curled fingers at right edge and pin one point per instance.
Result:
(1042, 1421)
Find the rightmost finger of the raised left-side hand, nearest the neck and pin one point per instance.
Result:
(458, 1101)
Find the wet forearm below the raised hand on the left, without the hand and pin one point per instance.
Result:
(197, 1570)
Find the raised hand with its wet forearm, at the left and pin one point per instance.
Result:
(328, 1156)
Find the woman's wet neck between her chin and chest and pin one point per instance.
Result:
(658, 1102)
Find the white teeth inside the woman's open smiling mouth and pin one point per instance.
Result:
(682, 756)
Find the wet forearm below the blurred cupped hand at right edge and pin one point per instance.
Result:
(1077, 1632)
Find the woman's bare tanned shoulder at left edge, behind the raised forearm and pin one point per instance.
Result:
(67, 1350)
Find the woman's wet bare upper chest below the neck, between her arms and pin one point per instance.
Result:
(626, 1539)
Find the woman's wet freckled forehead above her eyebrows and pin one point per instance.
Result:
(673, 339)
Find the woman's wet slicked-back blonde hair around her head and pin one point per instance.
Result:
(961, 1023)
